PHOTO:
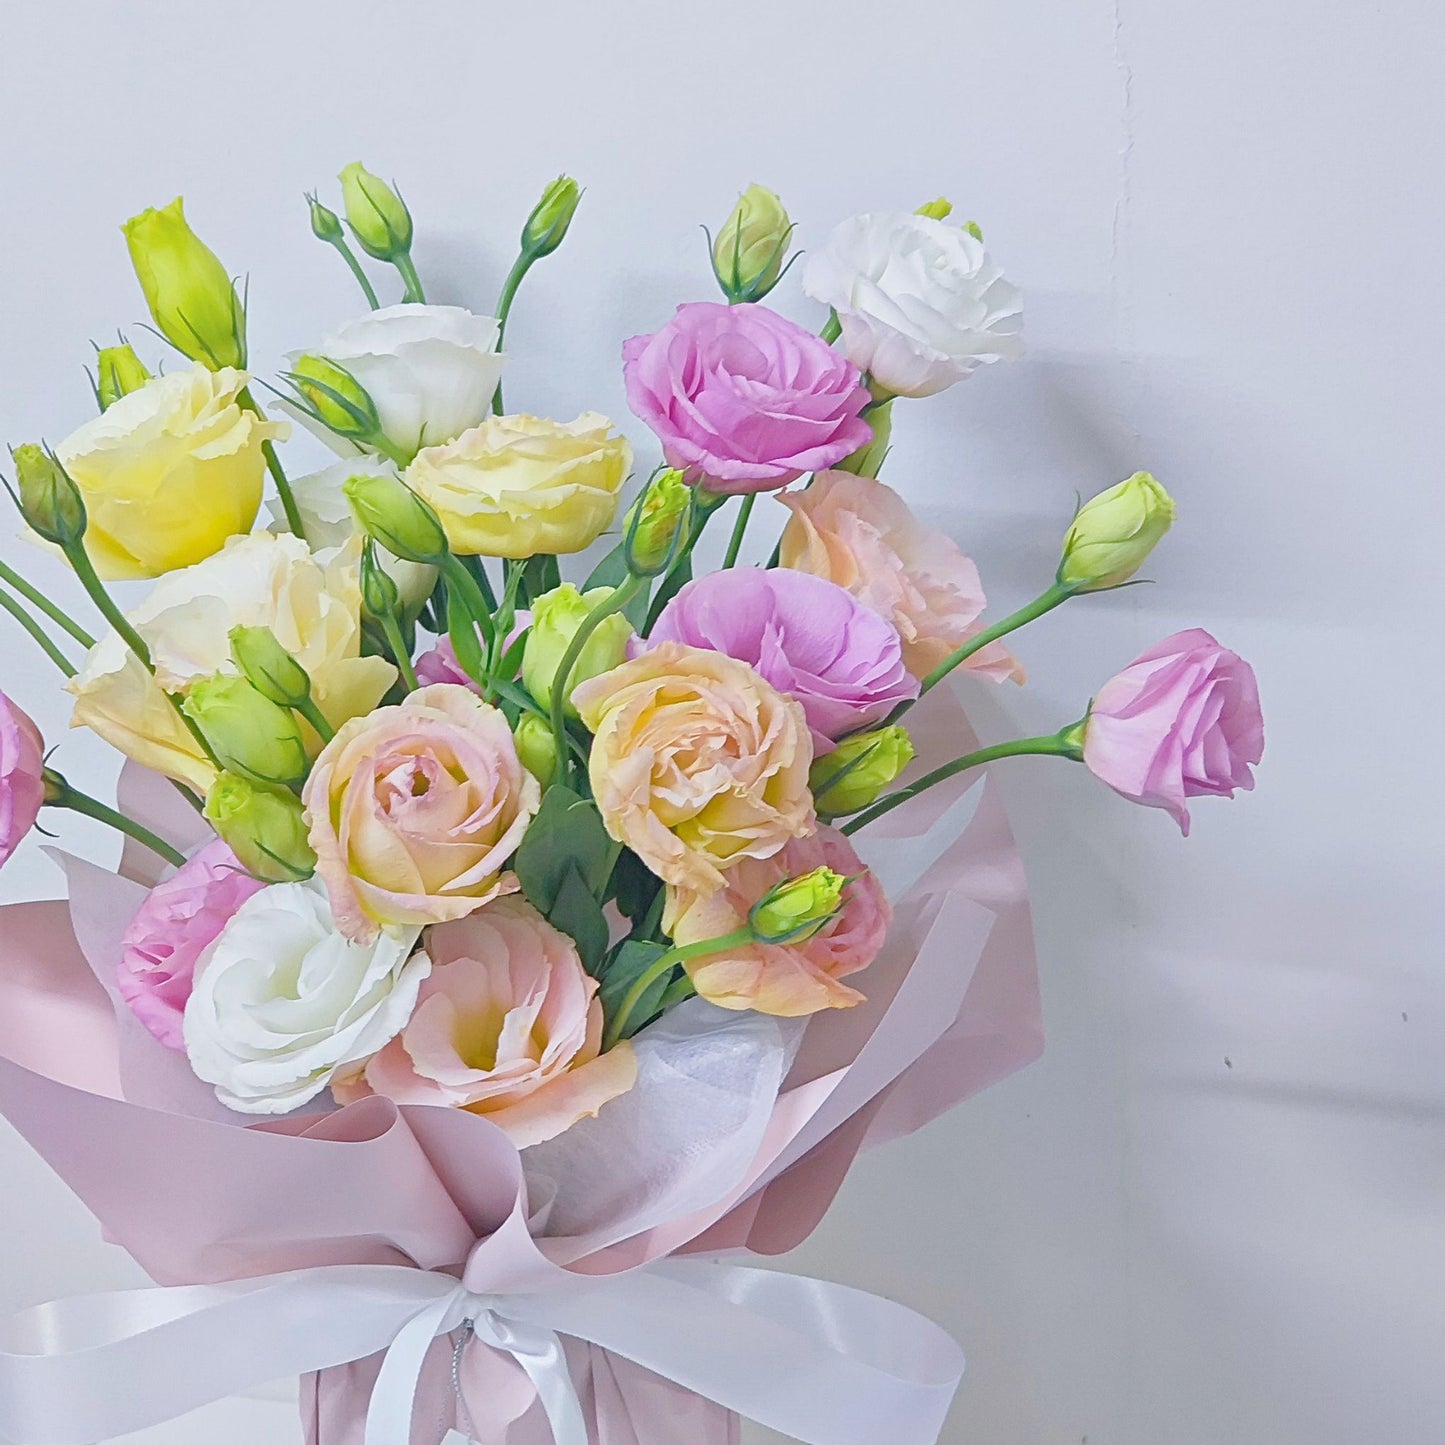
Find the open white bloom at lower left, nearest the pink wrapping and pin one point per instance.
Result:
(282, 1001)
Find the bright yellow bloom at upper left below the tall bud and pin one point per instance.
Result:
(170, 472)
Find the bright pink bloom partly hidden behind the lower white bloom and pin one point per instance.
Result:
(180, 920)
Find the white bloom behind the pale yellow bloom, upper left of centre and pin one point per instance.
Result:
(431, 372)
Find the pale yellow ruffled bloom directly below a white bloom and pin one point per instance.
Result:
(518, 486)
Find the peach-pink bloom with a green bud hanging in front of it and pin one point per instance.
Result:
(788, 980)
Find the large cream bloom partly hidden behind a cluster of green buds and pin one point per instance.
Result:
(311, 602)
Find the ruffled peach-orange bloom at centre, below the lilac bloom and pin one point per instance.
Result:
(697, 762)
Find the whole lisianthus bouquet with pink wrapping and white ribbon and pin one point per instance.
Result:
(496, 959)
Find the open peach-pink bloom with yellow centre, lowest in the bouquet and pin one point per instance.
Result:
(506, 1025)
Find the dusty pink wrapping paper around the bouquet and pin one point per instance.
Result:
(197, 1194)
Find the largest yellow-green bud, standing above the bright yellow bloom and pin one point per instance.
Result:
(189, 291)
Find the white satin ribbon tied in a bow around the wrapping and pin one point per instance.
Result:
(817, 1362)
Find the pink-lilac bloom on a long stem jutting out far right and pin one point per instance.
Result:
(1181, 722)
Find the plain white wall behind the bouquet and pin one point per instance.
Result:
(1212, 1216)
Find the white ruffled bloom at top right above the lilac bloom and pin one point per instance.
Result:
(920, 301)
